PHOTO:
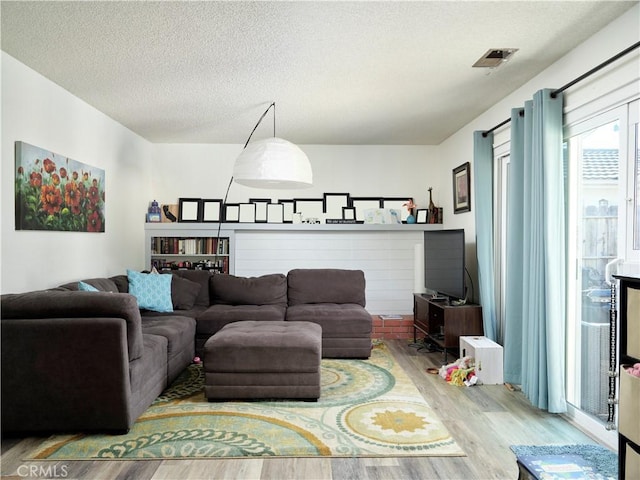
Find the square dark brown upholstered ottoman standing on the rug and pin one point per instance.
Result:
(265, 360)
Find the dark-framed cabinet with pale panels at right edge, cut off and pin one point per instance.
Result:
(629, 398)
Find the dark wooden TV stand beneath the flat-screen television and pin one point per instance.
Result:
(443, 324)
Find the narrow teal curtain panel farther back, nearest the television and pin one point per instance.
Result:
(483, 188)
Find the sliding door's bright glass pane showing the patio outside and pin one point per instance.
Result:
(595, 159)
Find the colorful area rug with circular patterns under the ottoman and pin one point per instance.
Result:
(367, 408)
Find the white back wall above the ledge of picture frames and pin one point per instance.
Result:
(203, 171)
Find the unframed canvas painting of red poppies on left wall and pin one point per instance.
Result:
(54, 192)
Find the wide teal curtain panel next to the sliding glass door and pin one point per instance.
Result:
(534, 345)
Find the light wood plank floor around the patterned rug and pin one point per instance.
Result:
(484, 420)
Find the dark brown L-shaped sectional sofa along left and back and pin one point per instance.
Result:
(93, 361)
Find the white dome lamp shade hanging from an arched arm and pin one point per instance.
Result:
(273, 163)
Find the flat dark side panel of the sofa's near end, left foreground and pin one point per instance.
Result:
(65, 374)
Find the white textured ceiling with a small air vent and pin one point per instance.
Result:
(339, 72)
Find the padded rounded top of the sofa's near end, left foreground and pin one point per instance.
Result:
(68, 304)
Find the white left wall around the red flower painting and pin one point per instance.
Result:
(39, 112)
